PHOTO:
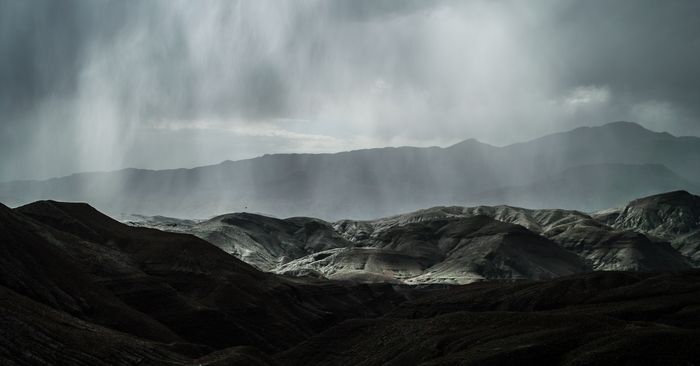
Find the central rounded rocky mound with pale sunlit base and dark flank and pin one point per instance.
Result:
(459, 250)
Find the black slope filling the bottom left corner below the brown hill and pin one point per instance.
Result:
(35, 334)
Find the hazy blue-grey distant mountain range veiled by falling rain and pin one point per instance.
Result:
(586, 169)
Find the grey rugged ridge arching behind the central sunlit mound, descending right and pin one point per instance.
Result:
(602, 247)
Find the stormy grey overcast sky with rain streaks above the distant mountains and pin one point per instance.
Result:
(101, 85)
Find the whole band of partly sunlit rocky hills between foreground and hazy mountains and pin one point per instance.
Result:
(457, 245)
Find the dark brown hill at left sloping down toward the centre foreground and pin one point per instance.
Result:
(165, 287)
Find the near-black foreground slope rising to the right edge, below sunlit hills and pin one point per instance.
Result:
(601, 318)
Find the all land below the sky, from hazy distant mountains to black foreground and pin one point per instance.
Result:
(599, 266)
